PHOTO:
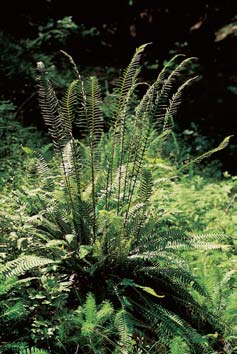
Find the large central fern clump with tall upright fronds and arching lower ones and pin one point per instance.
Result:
(101, 227)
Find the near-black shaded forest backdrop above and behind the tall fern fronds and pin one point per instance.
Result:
(204, 29)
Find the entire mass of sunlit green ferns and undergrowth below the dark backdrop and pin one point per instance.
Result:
(113, 240)
